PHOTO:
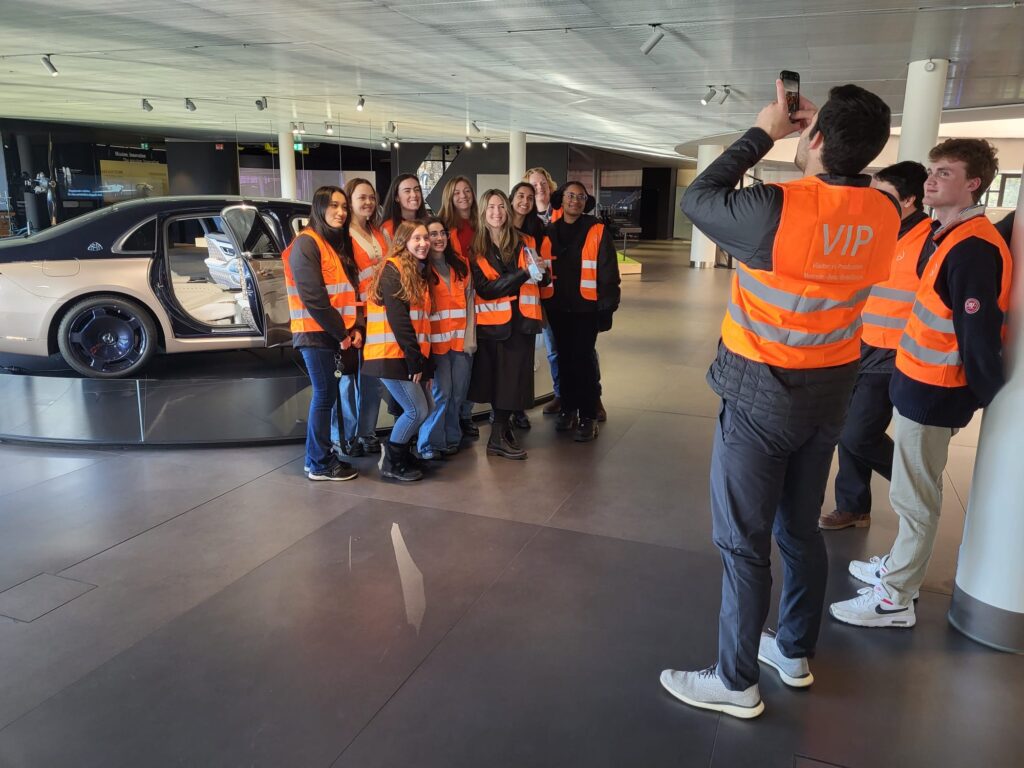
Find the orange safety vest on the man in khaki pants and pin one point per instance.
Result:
(928, 351)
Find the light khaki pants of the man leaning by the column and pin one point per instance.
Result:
(916, 495)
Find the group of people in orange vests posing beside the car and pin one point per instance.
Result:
(435, 314)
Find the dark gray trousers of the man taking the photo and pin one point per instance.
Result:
(765, 481)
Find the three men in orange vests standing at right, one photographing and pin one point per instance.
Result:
(850, 308)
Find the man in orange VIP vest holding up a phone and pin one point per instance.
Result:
(809, 252)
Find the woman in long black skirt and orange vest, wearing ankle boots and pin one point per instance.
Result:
(508, 319)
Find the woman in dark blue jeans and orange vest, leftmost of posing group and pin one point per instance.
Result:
(321, 279)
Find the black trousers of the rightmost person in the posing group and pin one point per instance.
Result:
(579, 379)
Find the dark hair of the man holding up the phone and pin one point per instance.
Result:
(856, 125)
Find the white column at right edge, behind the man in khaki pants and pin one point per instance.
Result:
(989, 600)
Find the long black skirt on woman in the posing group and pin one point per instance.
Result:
(503, 373)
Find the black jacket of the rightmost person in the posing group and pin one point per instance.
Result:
(567, 247)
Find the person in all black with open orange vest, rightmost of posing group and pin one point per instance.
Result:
(586, 273)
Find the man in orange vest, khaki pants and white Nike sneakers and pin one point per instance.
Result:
(949, 365)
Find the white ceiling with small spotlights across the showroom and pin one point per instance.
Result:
(566, 70)
